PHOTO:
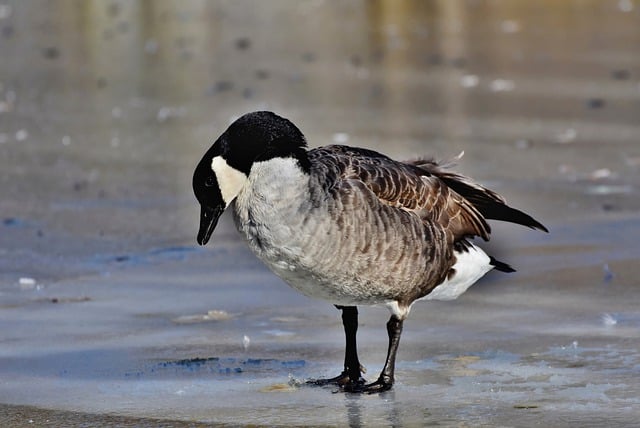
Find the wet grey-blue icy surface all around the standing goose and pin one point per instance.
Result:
(111, 315)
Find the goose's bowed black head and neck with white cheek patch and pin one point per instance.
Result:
(254, 137)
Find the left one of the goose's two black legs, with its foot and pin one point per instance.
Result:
(351, 377)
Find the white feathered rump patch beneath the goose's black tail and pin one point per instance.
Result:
(469, 268)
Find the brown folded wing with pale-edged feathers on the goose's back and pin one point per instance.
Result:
(408, 187)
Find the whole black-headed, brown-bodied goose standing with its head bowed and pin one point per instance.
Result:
(349, 225)
